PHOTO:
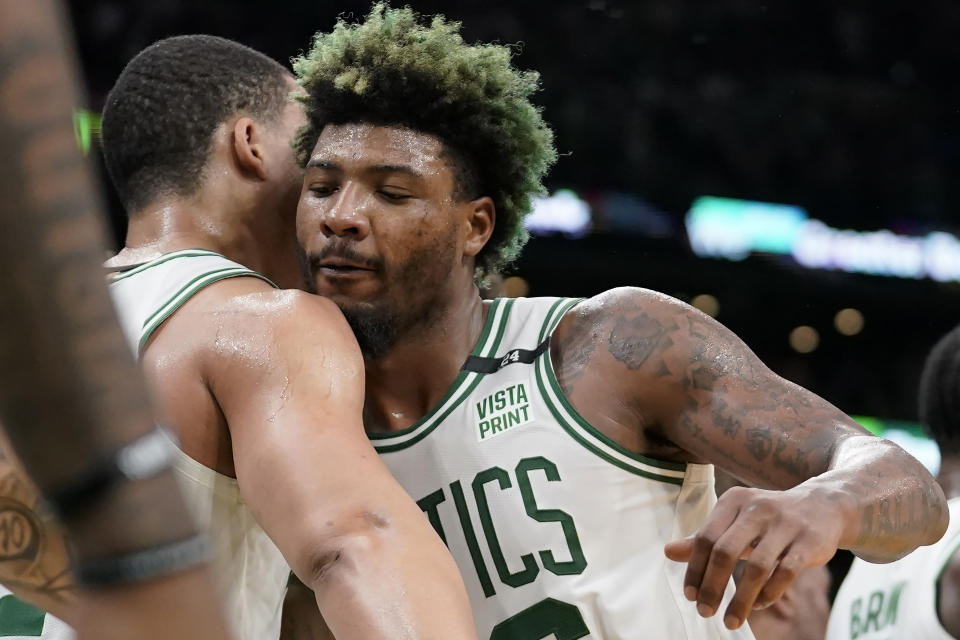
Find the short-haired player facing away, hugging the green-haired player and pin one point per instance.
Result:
(263, 383)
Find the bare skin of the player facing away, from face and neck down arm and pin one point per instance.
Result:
(266, 386)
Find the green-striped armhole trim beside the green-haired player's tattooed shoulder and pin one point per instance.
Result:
(585, 433)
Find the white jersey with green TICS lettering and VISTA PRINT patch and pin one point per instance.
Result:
(558, 531)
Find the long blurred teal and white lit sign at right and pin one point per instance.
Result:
(733, 229)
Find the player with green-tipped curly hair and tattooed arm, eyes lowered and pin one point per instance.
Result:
(556, 444)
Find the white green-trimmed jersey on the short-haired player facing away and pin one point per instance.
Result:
(249, 569)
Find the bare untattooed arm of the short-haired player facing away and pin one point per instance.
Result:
(290, 384)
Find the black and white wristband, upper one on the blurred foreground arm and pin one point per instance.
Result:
(147, 456)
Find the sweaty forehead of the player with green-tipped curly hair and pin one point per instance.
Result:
(359, 146)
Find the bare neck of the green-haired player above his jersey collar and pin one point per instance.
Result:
(408, 381)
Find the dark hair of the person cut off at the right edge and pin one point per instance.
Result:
(940, 394)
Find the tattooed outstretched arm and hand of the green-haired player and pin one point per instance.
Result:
(690, 389)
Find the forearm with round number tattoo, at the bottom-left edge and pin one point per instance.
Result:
(34, 557)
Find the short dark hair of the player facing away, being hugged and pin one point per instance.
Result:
(160, 116)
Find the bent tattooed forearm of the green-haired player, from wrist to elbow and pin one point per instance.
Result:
(890, 503)
